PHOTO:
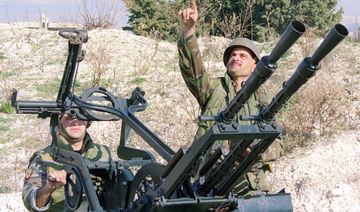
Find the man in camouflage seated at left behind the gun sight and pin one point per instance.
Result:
(39, 193)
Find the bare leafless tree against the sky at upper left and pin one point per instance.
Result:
(101, 13)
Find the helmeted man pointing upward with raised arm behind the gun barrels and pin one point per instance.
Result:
(213, 95)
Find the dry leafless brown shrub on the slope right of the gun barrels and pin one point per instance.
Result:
(315, 110)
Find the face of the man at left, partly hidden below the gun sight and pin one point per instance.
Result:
(73, 127)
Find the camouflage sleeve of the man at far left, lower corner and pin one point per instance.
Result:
(35, 177)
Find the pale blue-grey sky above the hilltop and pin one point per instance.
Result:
(67, 10)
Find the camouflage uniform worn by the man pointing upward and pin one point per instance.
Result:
(213, 95)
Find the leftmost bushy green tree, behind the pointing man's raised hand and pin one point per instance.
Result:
(161, 16)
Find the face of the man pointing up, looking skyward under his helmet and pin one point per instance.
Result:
(239, 61)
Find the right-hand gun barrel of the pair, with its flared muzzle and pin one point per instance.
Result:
(305, 71)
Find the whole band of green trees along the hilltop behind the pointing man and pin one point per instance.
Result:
(256, 19)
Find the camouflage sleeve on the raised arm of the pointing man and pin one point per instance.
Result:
(192, 69)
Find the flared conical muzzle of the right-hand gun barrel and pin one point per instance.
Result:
(333, 38)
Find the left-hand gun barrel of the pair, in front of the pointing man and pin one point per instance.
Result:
(264, 69)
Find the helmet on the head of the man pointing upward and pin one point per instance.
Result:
(241, 42)
